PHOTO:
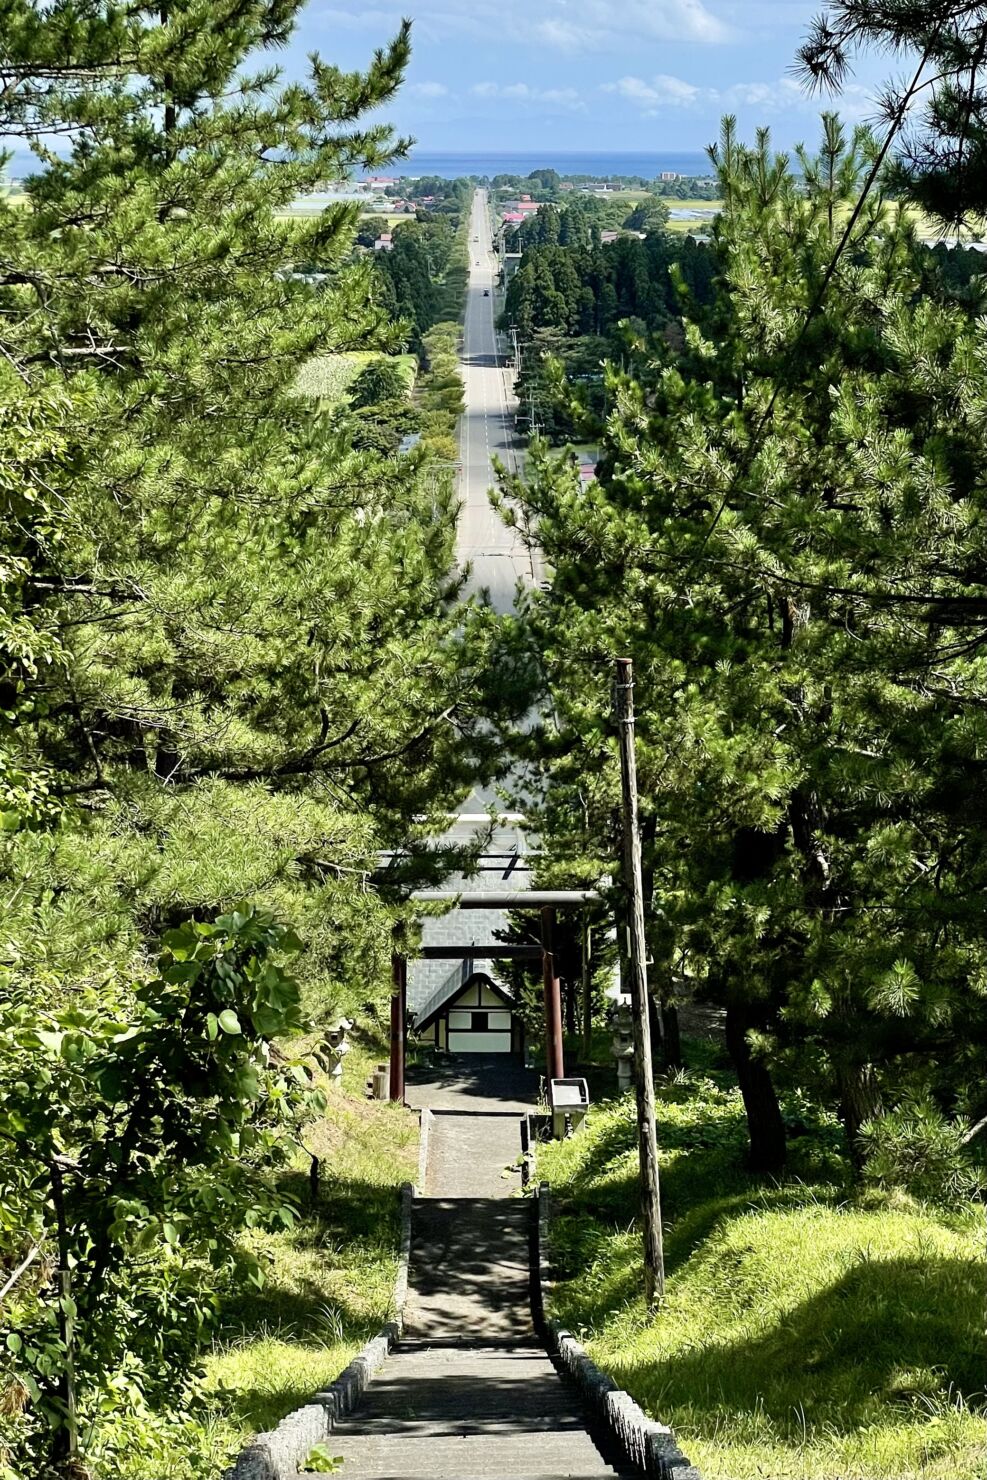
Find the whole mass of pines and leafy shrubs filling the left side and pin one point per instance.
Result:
(235, 679)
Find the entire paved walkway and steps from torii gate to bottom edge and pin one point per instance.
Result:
(470, 1390)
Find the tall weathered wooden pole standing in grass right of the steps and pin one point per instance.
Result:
(644, 1074)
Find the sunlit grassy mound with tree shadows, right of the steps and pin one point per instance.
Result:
(807, 1333)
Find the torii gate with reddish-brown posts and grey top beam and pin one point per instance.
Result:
(542, 901)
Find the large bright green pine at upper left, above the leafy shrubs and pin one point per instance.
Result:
(226, 594)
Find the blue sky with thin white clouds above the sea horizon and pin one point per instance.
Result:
(588, 75)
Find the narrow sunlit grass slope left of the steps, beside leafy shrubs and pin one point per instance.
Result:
(329, 1285)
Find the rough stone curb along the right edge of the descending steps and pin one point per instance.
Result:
(649, 1447)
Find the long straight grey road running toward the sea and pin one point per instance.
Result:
(496, 554)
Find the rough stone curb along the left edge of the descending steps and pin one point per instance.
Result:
(277, 1456)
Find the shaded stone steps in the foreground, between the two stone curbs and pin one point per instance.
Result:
(470, 1390)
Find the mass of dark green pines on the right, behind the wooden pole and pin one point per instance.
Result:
(786, 536)
